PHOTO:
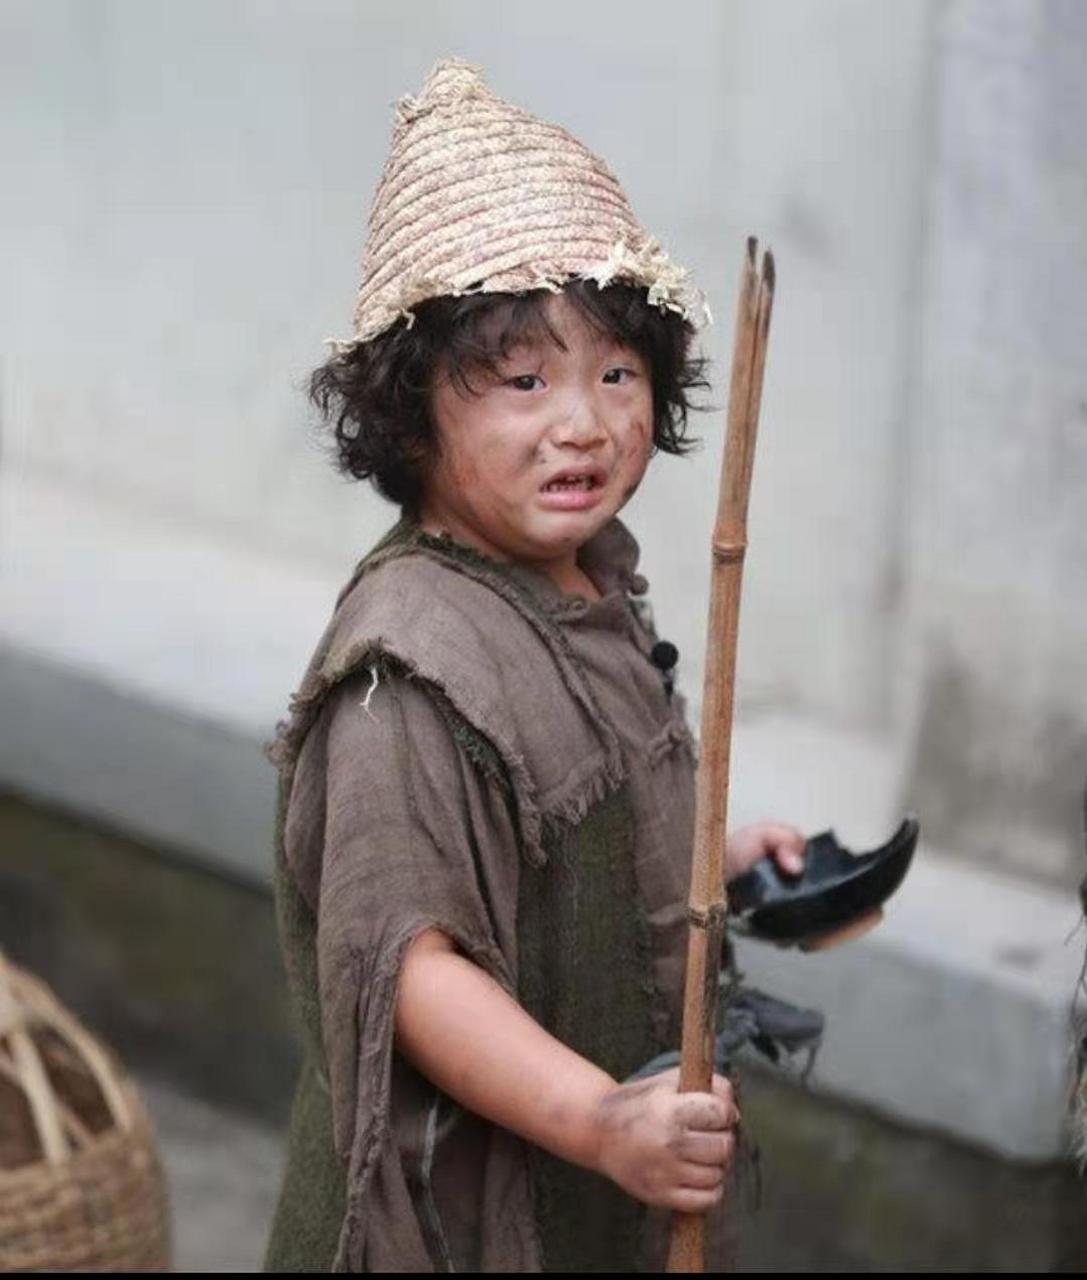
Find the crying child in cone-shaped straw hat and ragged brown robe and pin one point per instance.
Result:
(487, 785)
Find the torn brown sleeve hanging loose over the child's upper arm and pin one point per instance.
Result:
(413, 839)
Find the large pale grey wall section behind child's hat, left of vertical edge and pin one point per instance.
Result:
(189, 218)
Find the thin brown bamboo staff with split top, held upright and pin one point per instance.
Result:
(709, 908)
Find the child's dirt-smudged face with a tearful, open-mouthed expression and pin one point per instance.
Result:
(582, 415)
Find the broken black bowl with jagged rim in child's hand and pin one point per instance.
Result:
(837, 889)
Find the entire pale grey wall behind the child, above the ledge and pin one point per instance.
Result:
(184, 208)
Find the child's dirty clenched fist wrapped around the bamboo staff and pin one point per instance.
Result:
(668, 1149)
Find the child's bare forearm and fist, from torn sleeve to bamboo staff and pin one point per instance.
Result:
(481, 1048)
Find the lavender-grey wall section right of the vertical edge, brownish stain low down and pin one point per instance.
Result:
(997, 675)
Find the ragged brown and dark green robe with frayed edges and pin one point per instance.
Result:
(473, 749)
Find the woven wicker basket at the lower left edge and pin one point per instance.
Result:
(81, 1185)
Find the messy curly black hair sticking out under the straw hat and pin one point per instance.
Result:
(376, 397)
